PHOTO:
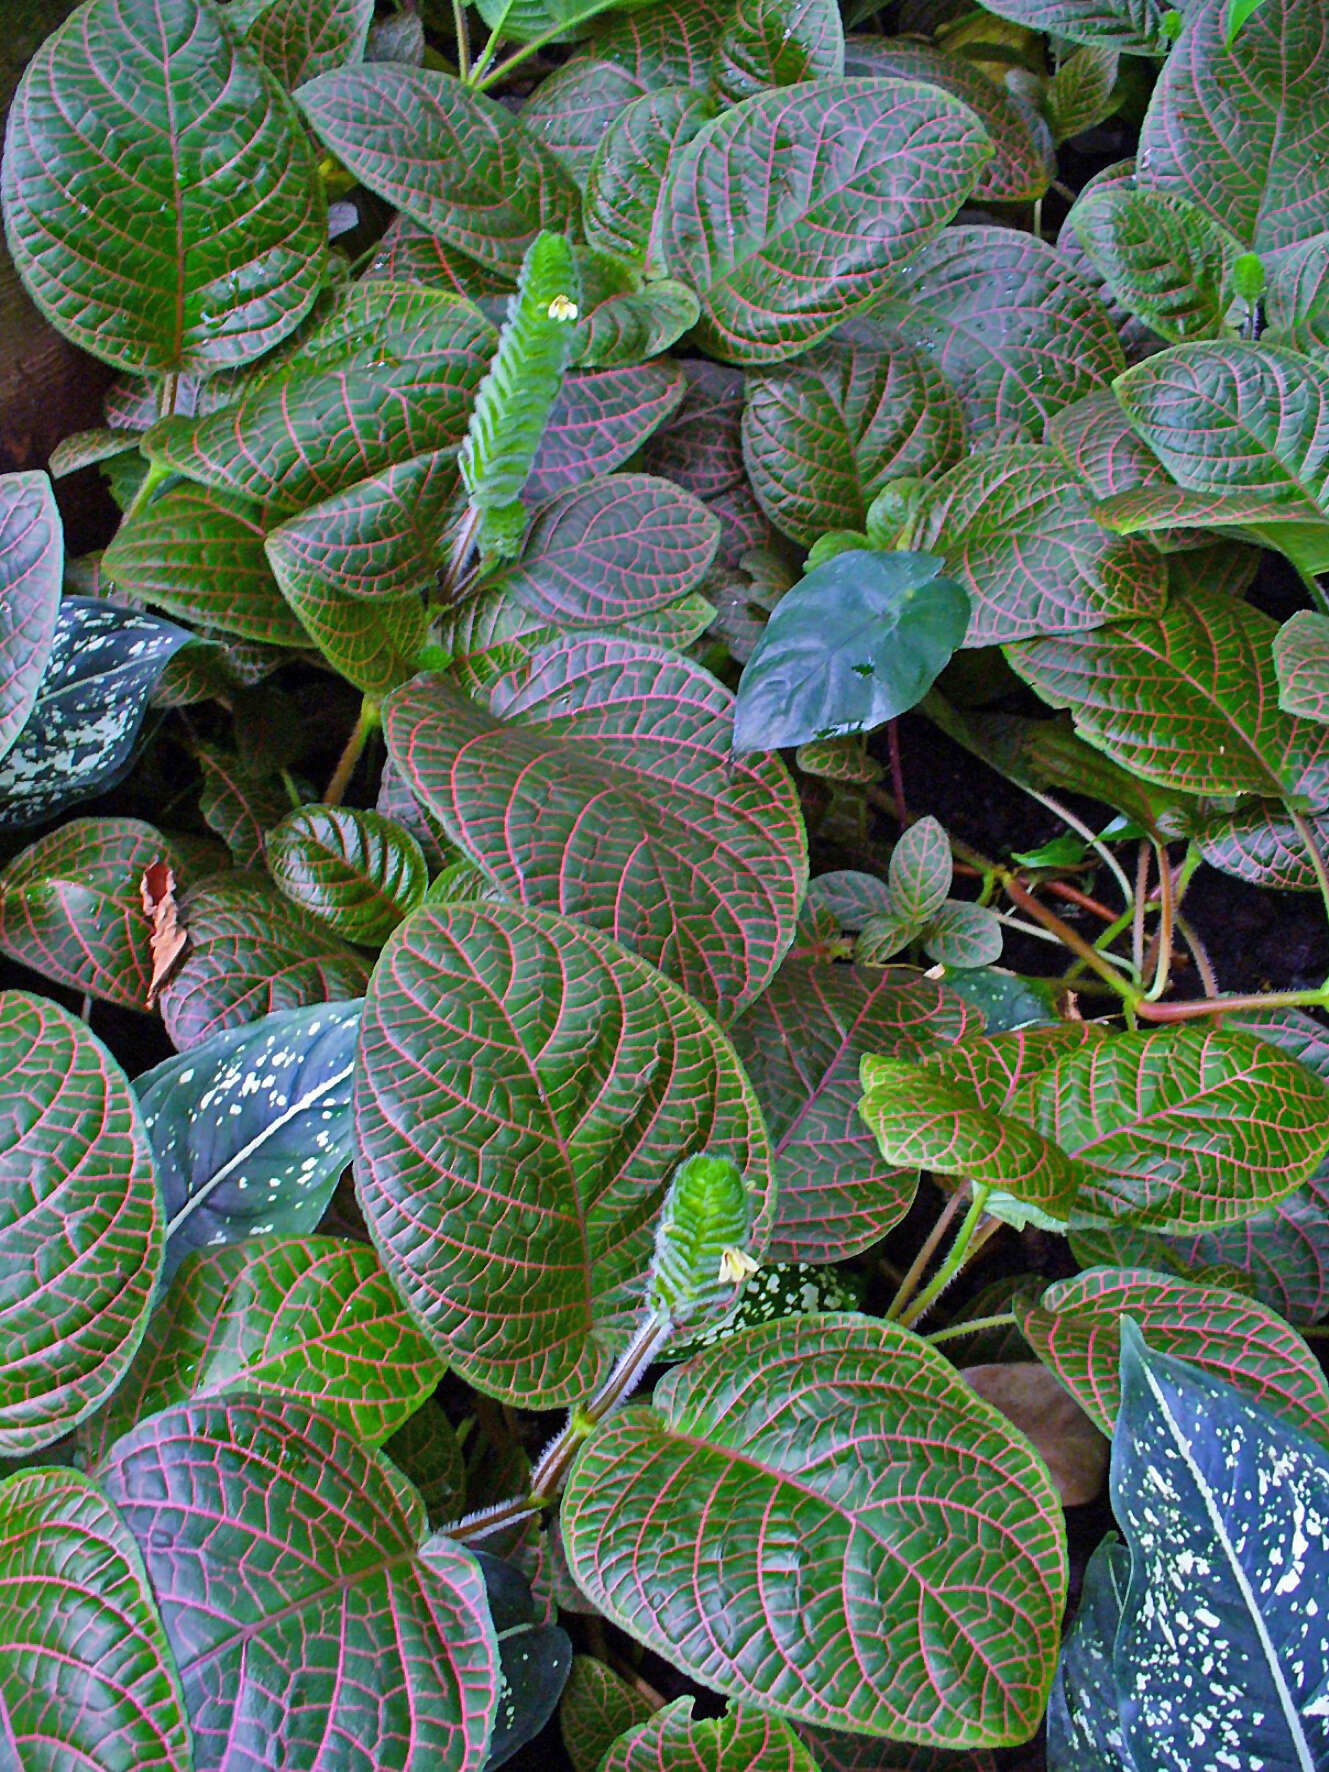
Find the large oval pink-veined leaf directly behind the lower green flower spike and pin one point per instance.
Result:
(525, 1092)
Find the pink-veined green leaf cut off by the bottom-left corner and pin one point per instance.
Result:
(89, 1684)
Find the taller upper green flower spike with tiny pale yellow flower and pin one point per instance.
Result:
(525, 377)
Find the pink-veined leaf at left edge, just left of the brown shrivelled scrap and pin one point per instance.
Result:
(74, 912)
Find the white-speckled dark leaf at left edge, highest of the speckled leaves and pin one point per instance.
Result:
(91, 701)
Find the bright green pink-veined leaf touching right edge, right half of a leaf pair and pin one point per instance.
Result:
(1185, 1130)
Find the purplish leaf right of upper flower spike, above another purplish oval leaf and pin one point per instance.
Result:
(602, 417)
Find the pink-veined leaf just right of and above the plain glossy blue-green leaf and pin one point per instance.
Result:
(1018, 532)
